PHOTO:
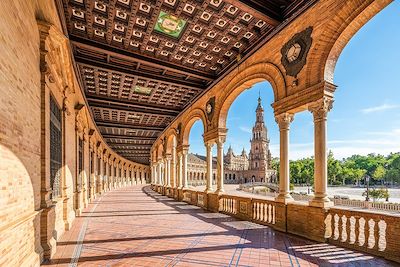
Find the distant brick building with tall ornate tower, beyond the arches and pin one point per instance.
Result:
(243, 168)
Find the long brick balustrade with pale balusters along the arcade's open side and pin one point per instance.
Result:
(368, 231)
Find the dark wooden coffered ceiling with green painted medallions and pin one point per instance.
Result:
(141, 62)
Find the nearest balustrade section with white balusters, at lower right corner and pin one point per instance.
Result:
(374, 233)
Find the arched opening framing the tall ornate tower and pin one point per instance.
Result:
(253, 136)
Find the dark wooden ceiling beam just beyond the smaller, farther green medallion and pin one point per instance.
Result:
(104, 102)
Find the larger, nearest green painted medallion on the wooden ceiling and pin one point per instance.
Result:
(169, 25)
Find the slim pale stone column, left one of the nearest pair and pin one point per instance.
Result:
(284, 121)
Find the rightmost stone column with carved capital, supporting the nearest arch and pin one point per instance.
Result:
(320, 111)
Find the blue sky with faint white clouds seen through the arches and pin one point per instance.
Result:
(366, 113)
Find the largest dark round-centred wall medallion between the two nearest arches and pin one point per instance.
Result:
(294, 52)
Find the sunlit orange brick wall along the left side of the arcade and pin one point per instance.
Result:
(36, 65)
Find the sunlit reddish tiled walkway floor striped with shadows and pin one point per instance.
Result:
(136, 227)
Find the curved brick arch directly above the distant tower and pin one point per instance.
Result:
(244, 80)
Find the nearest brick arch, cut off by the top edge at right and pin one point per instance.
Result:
(342, 26)
